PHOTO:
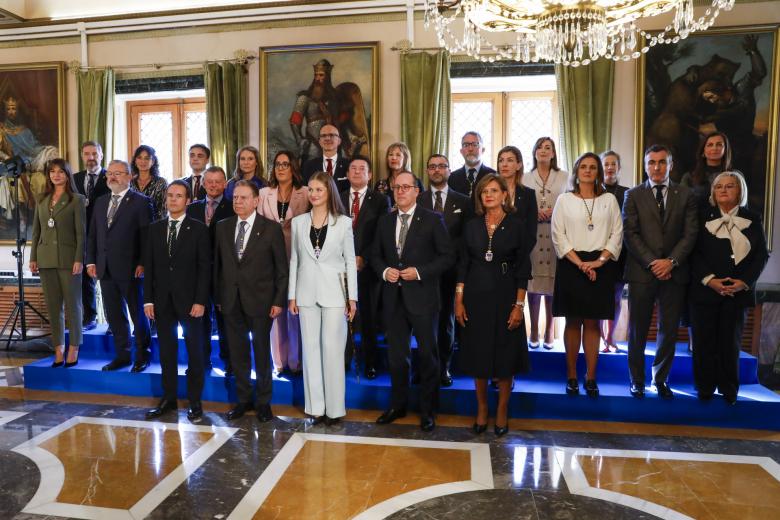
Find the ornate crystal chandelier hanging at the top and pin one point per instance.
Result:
(568, 32)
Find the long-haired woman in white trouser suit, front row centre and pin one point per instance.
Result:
(322, 261)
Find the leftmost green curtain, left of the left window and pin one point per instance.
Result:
(96, 109)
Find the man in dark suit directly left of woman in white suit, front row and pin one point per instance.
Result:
(250, 272)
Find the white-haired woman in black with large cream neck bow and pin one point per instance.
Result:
(729, 256)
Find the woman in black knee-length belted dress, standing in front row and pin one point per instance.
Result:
(493, 272)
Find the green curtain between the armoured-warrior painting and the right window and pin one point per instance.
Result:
(425, 106)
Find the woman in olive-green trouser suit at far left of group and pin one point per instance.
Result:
(59, 230)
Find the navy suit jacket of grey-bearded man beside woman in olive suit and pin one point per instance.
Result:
(119, 248)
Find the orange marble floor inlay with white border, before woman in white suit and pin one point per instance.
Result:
(337, 477)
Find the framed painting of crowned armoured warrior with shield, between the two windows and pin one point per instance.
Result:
(304, 87)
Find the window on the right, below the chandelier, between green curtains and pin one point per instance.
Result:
(509, 110)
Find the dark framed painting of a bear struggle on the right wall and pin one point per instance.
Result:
(722, 80)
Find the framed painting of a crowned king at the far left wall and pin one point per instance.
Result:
(32, 128)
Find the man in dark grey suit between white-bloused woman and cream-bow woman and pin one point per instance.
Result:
(660, 228)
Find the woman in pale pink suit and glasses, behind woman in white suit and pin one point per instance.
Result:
(283, 199)
